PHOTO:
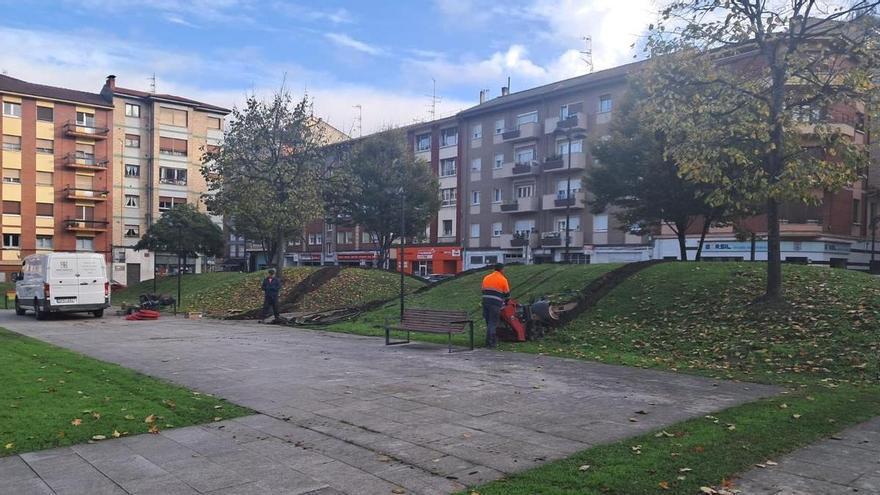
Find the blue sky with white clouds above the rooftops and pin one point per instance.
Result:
(386, 56)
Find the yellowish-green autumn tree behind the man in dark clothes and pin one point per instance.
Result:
(266, 177)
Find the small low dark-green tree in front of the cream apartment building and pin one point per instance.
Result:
(184, 231)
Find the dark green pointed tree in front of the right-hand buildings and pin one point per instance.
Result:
(637, 177)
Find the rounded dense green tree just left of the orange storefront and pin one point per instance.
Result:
(378, 172)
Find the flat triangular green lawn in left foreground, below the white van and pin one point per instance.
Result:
(53, 397)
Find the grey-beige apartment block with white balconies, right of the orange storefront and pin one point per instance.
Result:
(524, 156)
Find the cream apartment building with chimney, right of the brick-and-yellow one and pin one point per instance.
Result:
(157, 151)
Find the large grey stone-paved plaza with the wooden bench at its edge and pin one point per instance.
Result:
(345, 414)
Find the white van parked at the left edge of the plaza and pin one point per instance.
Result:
(62, 283)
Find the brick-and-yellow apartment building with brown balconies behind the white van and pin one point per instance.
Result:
(57, 186)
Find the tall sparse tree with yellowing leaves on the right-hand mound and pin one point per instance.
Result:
(735, 80)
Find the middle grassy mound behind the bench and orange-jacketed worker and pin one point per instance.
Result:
(527, 282)
